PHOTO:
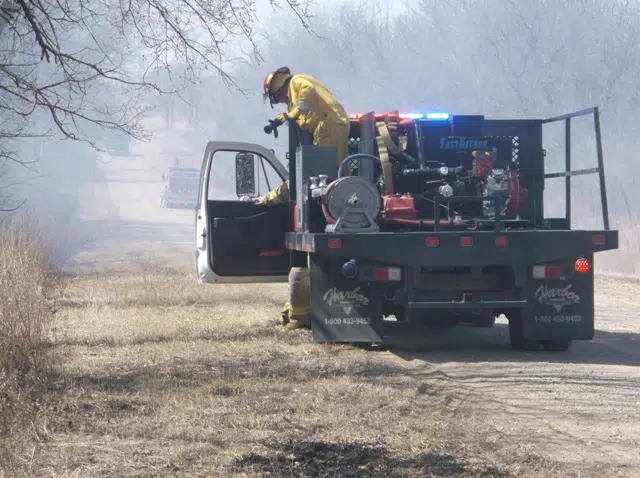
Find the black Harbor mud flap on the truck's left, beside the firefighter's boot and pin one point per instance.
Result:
(342, 310)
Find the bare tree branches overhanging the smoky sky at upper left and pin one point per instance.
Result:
(87, 63)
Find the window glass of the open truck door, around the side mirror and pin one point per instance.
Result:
(222, 179)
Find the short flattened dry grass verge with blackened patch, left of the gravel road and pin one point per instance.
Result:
(166, 377)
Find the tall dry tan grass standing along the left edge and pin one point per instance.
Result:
(26, 287)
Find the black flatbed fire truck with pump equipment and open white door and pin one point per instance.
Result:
(433, 219)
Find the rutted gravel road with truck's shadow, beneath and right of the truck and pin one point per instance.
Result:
(581, 408)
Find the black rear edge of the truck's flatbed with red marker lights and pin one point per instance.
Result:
(411, 249)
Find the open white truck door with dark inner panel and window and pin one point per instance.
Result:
(238, 241)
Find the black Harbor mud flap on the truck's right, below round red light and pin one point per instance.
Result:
(562, 307)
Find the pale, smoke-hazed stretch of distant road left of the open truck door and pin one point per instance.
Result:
(122, 224)
